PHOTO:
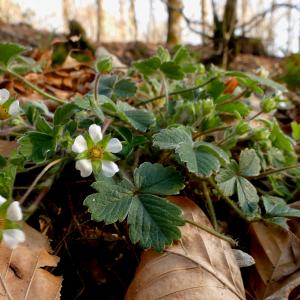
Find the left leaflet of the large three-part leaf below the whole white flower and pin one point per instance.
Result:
(111, 203)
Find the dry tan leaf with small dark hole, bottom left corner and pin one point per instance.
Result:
(22, 269)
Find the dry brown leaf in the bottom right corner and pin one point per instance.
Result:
(277, 255)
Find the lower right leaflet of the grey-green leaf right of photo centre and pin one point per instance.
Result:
(198, 161)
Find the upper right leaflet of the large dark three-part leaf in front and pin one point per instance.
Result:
(156, 179)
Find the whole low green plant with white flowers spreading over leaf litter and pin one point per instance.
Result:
(166, 126)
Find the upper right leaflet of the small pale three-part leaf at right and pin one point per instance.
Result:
(249, 164)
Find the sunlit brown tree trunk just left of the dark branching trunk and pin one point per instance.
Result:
(174, 22)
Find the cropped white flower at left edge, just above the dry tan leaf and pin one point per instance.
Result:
(11, 236)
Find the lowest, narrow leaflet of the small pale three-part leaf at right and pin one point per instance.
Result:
(247, 195)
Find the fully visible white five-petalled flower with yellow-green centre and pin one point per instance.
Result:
(94, 153)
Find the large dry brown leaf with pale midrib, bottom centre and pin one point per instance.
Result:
(200, 266)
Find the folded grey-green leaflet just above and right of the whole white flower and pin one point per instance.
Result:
(138, 118)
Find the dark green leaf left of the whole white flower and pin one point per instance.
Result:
(36, 146)
